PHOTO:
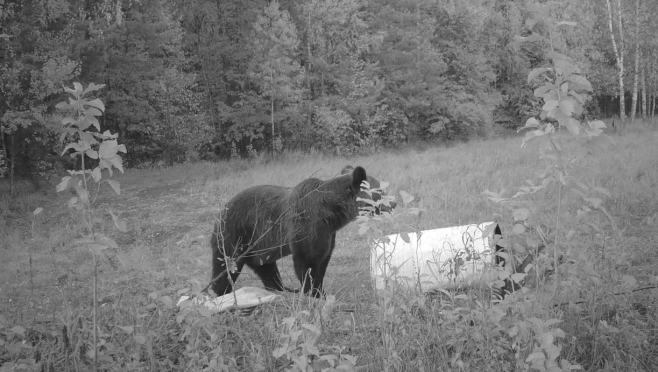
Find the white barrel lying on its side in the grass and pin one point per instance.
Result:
(440, 258)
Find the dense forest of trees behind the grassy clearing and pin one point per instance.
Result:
(209, 79)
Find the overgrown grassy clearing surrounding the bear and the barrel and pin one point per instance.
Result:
(600, 313)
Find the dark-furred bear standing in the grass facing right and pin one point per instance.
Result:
(264, 223)
